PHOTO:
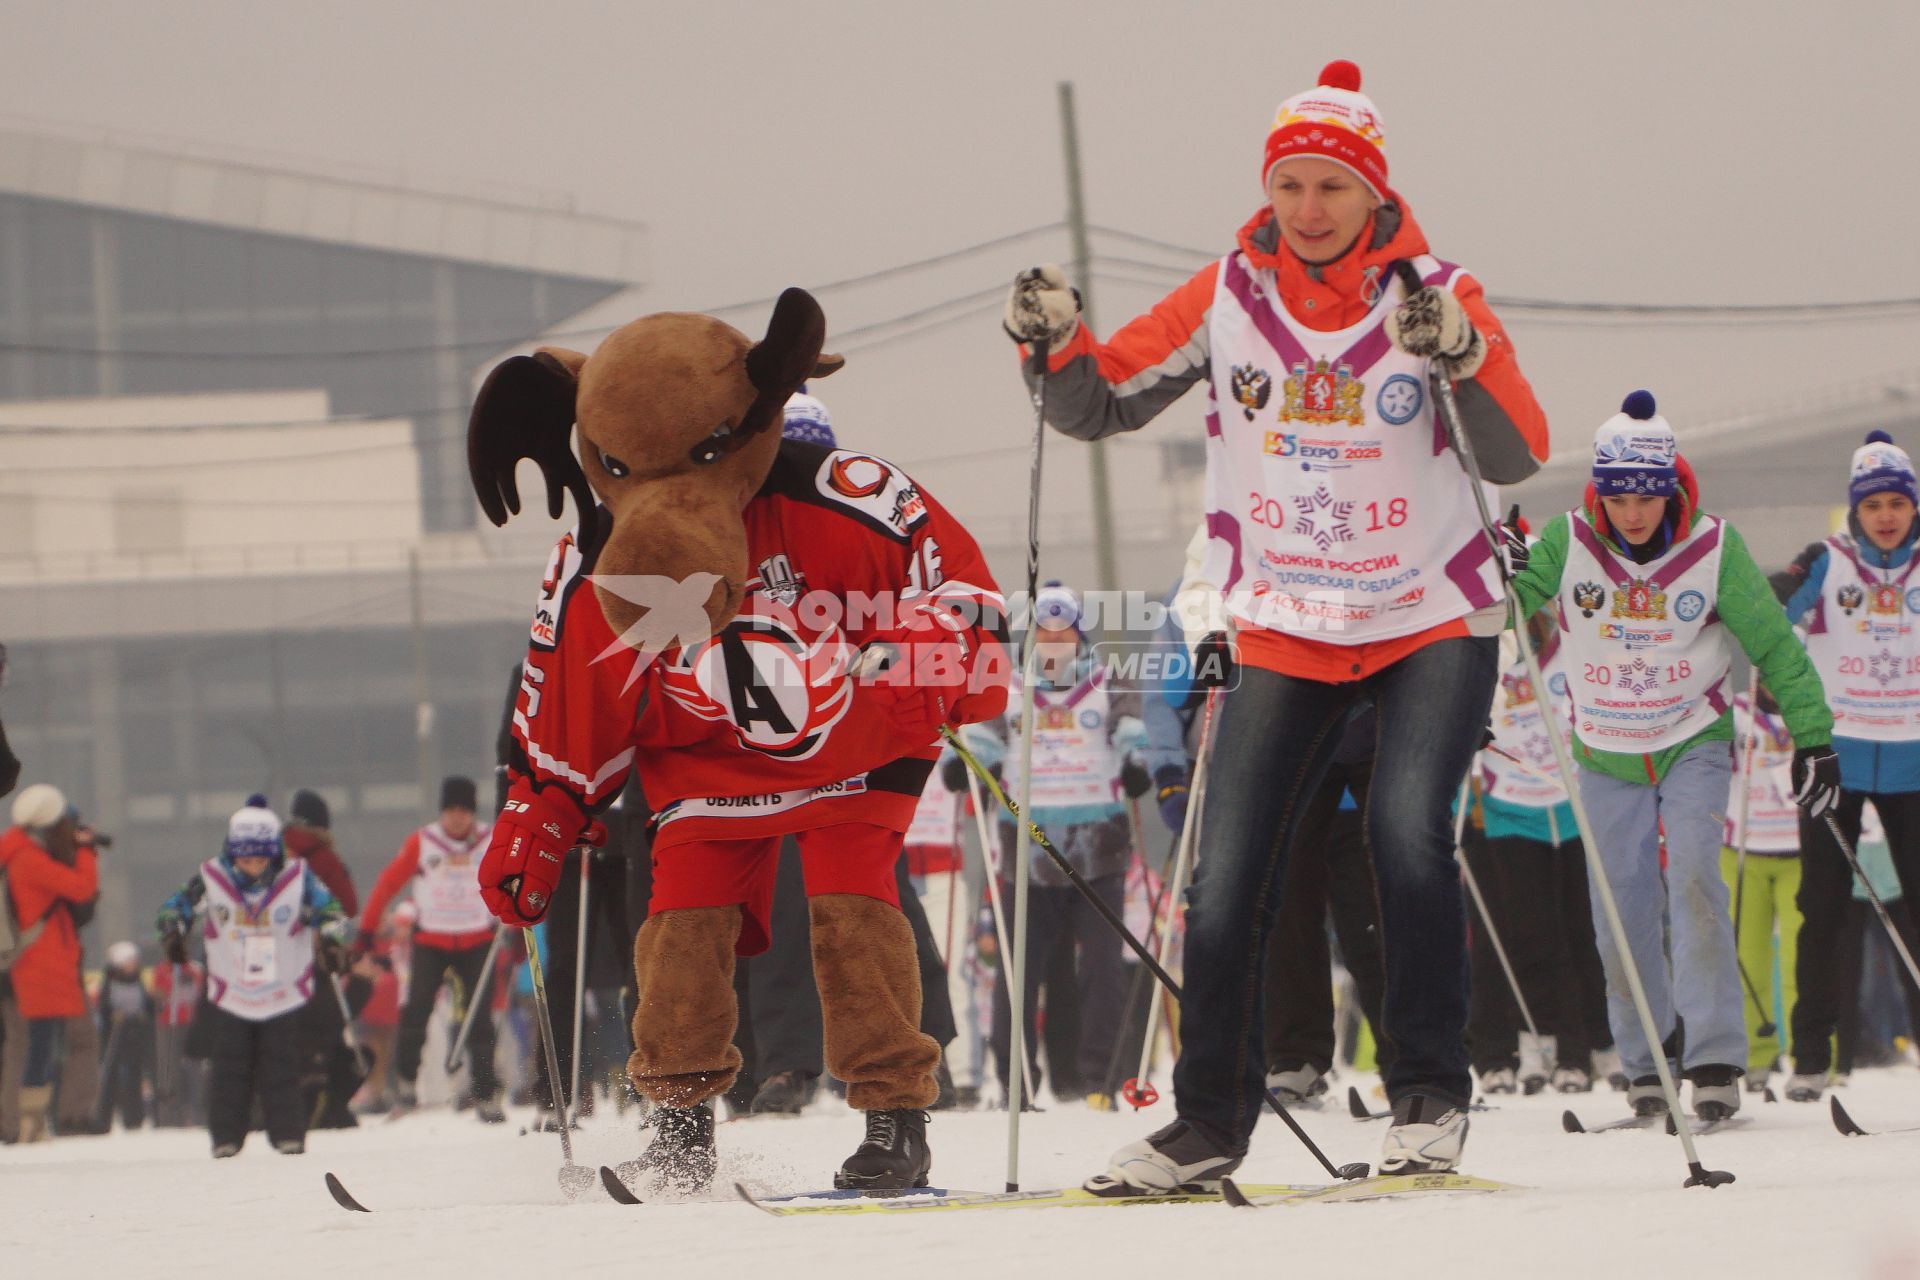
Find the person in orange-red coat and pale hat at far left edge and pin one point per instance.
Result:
(49, 866)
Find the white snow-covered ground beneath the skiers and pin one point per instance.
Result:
(454, 1198)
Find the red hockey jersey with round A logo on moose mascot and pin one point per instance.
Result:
(763, 728)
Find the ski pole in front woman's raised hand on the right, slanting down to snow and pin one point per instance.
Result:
(1443, 391)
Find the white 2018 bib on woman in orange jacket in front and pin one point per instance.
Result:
(1330, 508)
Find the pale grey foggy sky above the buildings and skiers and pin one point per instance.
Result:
(1621, 153)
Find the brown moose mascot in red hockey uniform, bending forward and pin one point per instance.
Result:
(771, 634)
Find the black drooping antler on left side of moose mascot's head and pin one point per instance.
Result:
(527, 412)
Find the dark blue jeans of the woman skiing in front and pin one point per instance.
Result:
(1272, 747)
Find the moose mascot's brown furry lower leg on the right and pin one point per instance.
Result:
(871, 1003)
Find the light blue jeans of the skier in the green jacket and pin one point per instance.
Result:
(1687, 911)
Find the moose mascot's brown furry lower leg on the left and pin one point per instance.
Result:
(684, 1016)
